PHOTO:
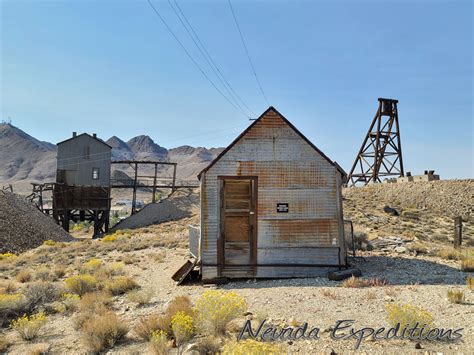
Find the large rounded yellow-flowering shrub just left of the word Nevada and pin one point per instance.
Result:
(216, 308)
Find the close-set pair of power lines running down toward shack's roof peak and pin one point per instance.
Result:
(205, 53)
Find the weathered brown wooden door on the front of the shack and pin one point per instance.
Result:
(238, 226)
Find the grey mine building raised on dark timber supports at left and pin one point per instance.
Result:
(82, 188)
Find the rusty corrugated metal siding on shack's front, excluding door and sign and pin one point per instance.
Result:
(289, 171)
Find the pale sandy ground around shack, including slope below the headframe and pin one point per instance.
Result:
(153, 253)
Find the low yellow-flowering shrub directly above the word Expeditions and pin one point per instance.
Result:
(408, 315)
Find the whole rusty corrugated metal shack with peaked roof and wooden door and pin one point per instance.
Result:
(271, 206)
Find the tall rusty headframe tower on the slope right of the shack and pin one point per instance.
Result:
(380, 155)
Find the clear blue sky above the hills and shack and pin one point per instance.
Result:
(111, 67)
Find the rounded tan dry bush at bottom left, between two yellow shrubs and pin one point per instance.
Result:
(103, 331)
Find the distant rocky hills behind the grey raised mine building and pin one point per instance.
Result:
(25, 159)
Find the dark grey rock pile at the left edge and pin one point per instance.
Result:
(23, 226)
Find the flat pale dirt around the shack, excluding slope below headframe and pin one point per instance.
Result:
(421, 281)
